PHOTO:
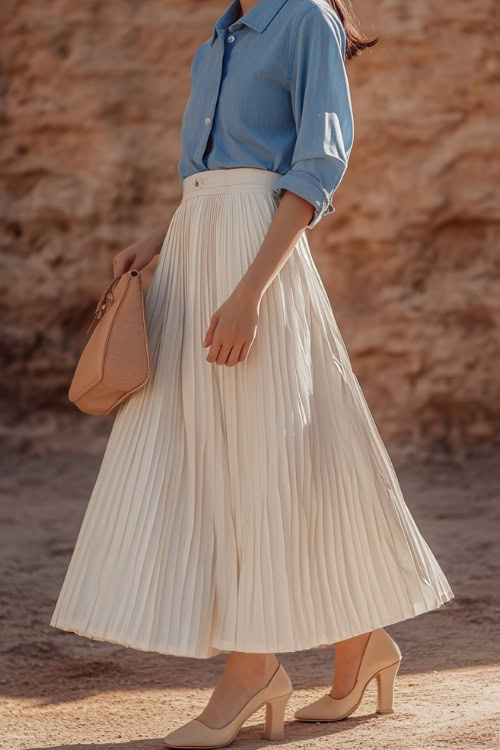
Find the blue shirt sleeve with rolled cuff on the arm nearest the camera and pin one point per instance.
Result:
(322, 111)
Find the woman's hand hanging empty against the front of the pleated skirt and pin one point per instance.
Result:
(233, 328)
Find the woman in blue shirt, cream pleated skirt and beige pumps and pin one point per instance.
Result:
(246, 503)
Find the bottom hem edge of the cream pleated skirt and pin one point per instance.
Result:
(226, 647)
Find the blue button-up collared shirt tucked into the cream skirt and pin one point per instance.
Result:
(270, 90)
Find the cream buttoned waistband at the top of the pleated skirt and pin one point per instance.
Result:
(234, 179)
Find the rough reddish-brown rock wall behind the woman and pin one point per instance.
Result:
(93, 96)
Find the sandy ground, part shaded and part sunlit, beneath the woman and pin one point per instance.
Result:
(60, 690)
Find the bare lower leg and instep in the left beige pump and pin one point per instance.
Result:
(244, 675)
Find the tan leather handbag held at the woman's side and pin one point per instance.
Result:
(115, 360)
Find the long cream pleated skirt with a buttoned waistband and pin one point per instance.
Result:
(248, 508)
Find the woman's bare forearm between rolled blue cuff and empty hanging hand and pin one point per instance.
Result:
(291, 218)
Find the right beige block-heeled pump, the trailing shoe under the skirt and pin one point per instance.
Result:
(381, 659)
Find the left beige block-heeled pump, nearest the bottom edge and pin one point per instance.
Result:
(196, 734)
